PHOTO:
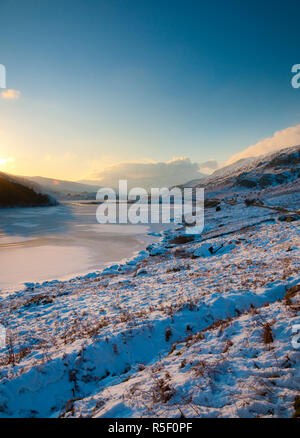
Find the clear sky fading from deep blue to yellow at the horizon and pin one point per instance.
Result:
(103, 82)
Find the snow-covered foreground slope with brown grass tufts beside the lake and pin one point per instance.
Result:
(197, 328)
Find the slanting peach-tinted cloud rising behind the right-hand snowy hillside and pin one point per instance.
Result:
(281, 139)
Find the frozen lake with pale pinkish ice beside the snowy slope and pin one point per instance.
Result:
(61, 242)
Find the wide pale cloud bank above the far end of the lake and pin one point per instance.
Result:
(149, 174)
